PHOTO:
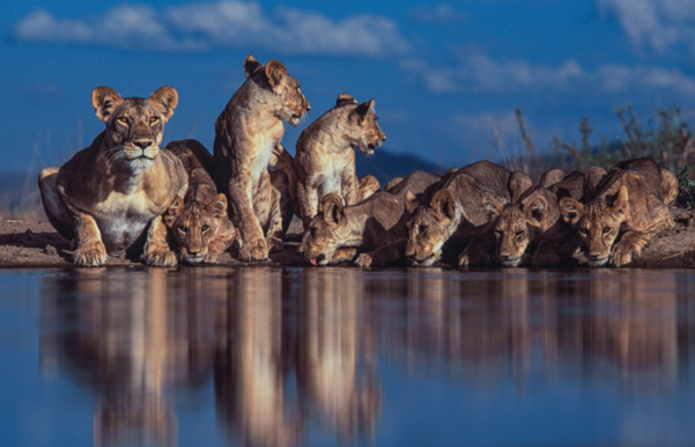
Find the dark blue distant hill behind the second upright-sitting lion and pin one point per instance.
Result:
(385, 165)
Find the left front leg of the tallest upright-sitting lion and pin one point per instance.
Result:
(253, 245)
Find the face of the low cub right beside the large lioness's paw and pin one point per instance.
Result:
(194, 226)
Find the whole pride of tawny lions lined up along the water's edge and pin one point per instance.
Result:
(124, 194)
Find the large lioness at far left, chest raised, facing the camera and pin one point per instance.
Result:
(108, 194)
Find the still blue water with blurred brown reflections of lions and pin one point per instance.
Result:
(265, 356)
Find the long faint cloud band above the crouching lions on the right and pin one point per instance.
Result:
(480, 74)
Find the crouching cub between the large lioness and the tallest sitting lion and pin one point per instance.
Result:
(199, 221)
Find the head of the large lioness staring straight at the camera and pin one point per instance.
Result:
(134, 126)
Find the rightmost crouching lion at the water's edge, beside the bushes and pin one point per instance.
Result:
(629, 205)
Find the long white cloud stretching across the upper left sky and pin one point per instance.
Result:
(224, 24)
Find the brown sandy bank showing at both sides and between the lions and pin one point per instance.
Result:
(34, 243)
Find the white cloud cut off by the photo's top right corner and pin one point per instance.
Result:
(658, 24)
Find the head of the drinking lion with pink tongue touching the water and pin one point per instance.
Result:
(326, 232)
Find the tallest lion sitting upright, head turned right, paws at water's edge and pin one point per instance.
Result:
(247, 134)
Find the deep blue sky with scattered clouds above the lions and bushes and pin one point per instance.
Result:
(446, 76)
